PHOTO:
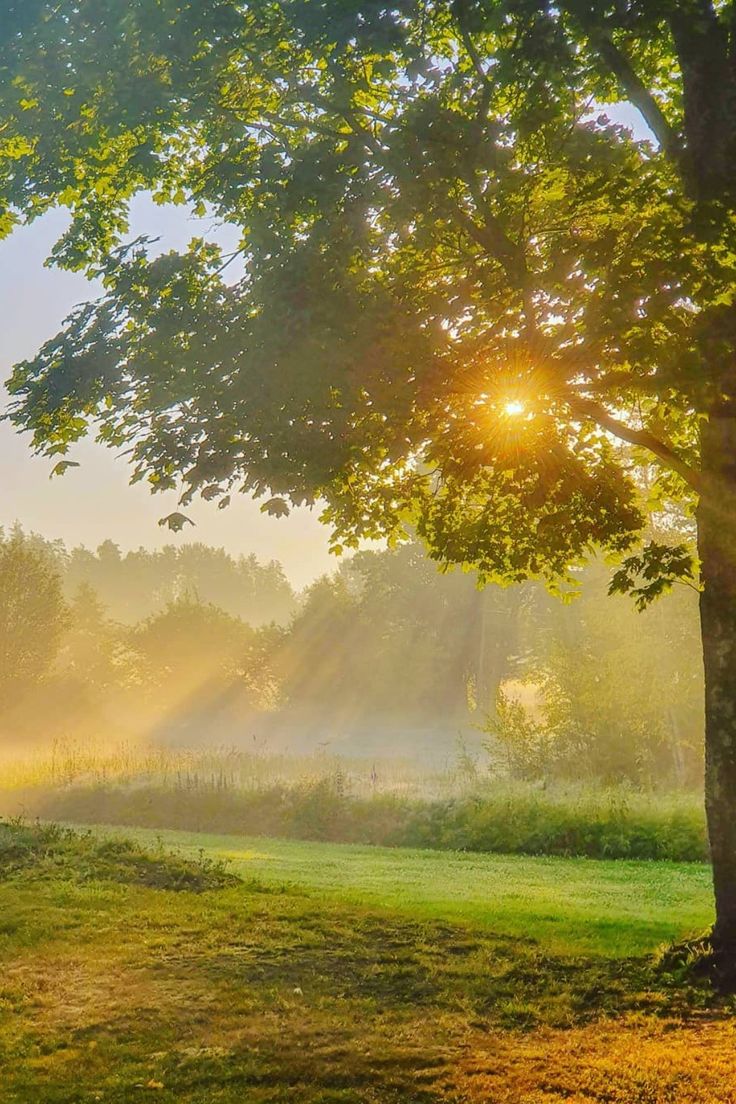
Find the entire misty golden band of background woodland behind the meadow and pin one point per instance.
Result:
(387, 657)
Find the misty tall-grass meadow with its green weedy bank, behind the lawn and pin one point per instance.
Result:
(463, 805)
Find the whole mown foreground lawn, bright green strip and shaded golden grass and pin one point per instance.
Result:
(337, 975)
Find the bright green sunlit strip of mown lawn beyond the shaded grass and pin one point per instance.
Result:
(568, 906)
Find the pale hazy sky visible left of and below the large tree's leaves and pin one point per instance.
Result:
(94, 503)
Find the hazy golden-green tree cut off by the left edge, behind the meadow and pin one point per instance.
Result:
(33, 615)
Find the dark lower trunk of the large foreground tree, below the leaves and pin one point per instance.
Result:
(717, 524)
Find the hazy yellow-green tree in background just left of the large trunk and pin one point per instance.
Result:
(621, 691)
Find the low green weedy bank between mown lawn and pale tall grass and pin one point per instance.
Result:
(515, 820)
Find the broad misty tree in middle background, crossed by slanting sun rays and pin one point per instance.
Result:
(388, 641)
